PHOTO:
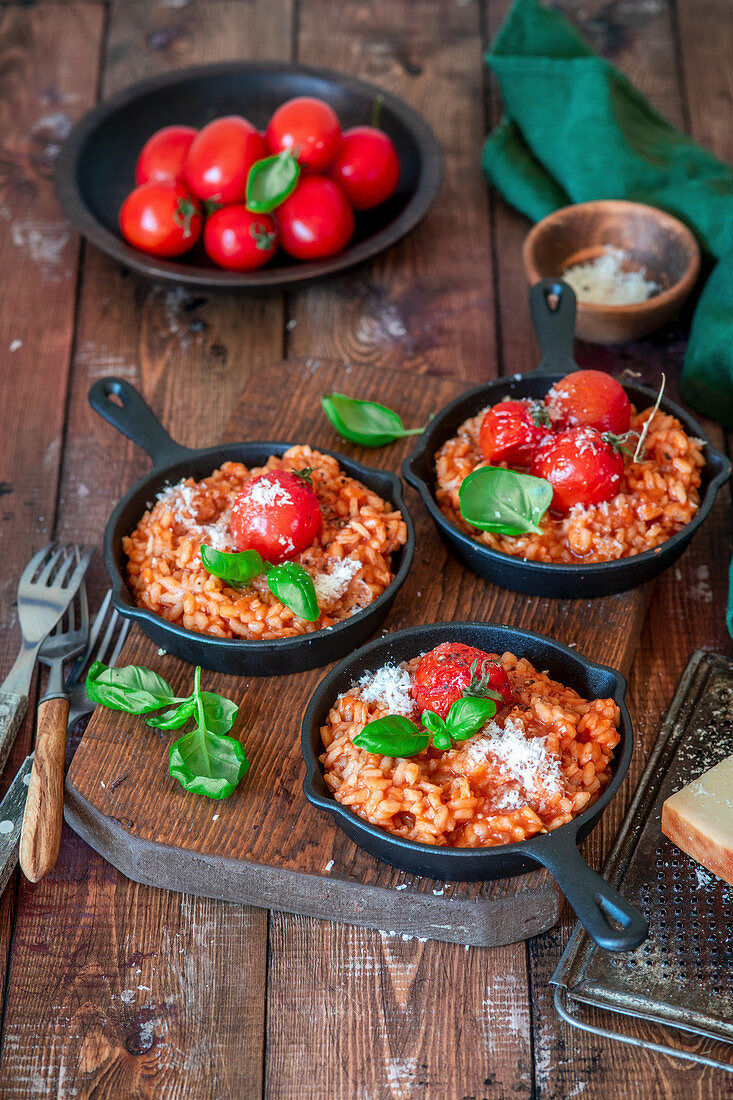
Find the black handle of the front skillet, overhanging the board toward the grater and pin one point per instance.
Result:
(607, 917)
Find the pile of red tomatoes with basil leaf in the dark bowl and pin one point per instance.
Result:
(199, 184)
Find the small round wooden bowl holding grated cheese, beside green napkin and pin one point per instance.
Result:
(654, 240)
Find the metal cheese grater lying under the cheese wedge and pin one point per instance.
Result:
(682, 977)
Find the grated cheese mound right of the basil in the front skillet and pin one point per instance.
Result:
(527, 760)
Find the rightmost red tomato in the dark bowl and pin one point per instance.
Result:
(367, 167)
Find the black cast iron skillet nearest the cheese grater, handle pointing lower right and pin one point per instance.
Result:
(610, 920)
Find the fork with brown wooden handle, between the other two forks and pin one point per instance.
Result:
(45, 806)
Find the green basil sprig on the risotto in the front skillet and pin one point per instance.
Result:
(398, 736)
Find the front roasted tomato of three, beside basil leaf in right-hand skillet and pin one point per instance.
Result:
(581, 467)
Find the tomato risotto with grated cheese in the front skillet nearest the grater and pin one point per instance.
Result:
(541, 762)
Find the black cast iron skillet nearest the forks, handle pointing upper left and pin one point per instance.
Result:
(172, 463)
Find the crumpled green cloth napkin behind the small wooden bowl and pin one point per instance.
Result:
(577, 129)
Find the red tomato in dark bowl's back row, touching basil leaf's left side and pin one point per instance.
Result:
(221, 158)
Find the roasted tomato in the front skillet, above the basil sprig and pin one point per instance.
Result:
(445, 674)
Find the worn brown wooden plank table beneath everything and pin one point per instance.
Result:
(114, 989)
